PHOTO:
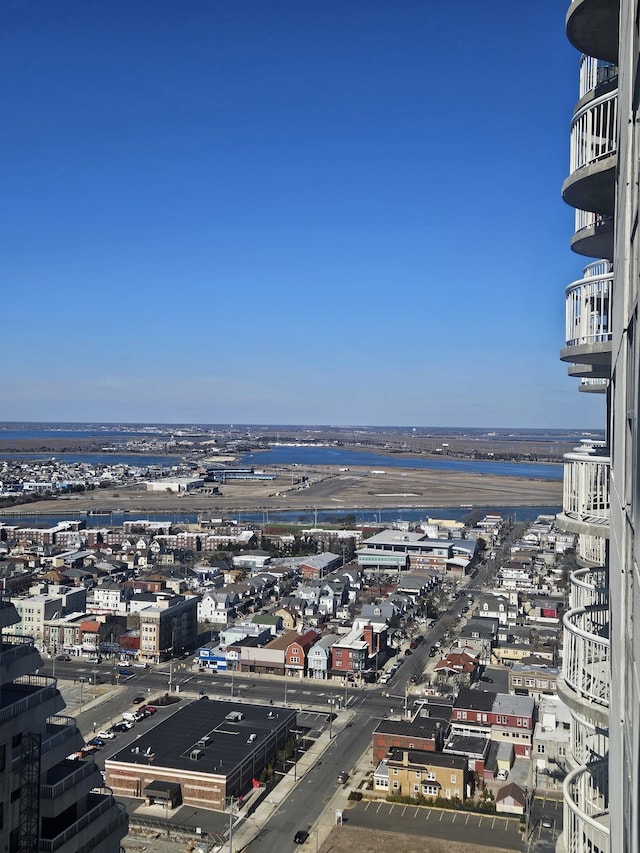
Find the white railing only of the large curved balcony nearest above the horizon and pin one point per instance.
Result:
(588, 306)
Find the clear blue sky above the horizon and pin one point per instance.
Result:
(329, 211)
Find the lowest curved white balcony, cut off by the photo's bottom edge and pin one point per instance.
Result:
(586, 809)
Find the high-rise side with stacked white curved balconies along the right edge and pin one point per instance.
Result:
(601, 668)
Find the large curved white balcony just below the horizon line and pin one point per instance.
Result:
(586, 499)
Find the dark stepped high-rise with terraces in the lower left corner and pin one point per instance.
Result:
(52, 797)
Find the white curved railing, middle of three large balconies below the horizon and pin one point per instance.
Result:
(585, 663)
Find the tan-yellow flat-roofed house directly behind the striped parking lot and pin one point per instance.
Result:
(418, 773)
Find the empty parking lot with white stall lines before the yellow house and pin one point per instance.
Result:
(496, 831)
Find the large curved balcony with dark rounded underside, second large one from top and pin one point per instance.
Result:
(591, 182)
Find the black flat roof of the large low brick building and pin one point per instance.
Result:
(171, 742)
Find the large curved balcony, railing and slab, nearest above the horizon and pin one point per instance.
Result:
(588, 317)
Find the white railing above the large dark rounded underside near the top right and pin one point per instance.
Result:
(593, 131)
